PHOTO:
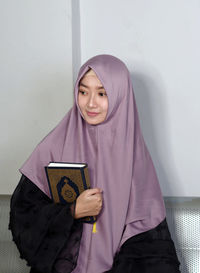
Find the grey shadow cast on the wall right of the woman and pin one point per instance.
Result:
(150, 98)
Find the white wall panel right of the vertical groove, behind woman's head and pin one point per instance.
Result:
(159, 41)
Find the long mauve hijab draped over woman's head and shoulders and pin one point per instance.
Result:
(119, 163)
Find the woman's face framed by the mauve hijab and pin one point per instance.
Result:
(92, 99)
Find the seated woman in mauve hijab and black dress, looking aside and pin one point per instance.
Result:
(102, 129)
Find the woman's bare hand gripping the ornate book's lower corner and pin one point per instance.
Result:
(88, 203)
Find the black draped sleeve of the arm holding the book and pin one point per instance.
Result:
(46, 234)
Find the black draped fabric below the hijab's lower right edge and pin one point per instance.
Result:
(152, 251)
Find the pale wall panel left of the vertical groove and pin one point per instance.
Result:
(36, 78)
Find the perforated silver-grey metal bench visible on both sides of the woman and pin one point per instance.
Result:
(183, 216)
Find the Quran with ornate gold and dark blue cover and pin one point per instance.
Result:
(67, 181)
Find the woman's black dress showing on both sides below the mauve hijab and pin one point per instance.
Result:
(47, 235)
